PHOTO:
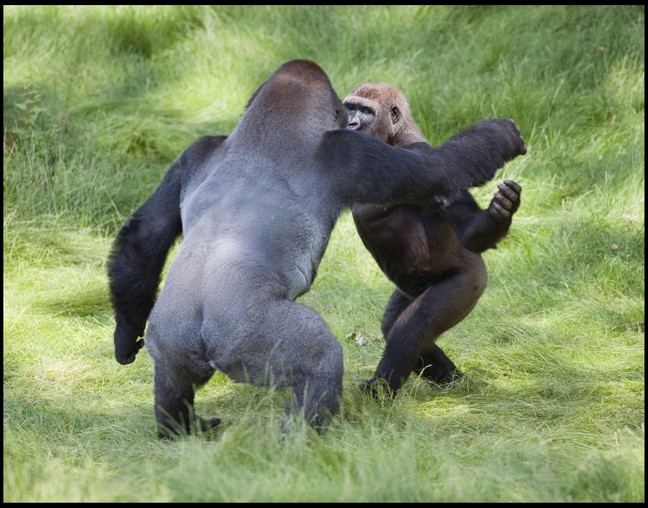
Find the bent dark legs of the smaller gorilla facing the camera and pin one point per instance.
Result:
(410, 341)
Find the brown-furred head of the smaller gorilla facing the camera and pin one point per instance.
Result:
(383, 113)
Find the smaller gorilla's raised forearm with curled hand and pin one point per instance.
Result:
(479, 230)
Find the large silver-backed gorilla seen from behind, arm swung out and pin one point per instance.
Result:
(256, 210)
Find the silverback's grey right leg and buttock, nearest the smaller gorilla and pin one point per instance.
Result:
(284, 344)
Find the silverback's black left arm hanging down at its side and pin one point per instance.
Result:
(140, 249)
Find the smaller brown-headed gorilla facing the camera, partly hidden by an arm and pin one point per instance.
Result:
(431, 253)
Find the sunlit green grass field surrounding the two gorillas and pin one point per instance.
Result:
(98, 101)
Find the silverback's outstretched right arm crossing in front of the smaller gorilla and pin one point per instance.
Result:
(466, 160)
